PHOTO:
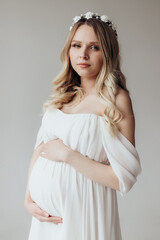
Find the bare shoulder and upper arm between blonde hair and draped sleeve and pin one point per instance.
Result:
(127, 125)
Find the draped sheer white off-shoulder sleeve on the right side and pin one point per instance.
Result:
(123, 158)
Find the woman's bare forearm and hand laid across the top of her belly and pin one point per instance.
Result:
(56, 150)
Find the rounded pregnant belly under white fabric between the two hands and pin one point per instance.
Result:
(48, 185)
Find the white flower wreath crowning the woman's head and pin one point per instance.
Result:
(88, 15)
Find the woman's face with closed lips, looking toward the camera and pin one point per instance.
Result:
(85, 49)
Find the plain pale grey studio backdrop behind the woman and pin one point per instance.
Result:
(32, 36)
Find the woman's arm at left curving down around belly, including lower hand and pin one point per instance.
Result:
(29, 204)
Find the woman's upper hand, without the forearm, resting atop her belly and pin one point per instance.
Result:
(55, 150)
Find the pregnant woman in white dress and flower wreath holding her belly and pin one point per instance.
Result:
(85, 150)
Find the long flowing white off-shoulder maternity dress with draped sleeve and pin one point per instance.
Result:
(89, 209)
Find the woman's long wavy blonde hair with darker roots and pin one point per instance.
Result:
(67, 84)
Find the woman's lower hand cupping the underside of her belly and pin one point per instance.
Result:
(40, 214)
